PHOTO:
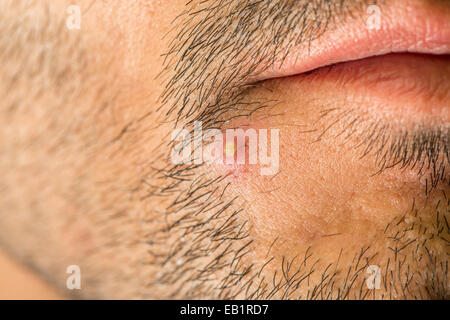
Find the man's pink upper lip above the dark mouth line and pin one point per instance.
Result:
(402, 29)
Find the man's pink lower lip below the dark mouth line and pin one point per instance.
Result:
(401, 85)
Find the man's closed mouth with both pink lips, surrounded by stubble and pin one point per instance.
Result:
(400, 67)
